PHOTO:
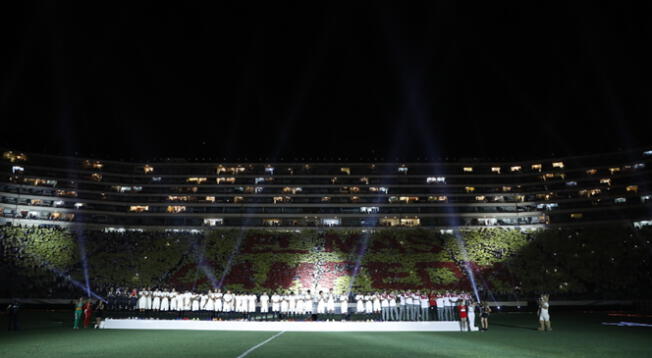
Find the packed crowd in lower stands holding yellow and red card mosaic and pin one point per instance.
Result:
(600, 262)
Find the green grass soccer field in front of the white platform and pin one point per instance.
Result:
(46, 334)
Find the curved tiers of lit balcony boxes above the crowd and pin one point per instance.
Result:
(39, 189)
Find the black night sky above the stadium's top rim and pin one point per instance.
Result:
(308, 80)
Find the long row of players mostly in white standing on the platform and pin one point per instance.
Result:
(404, 305)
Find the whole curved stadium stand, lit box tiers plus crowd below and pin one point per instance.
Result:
(498, 230)
